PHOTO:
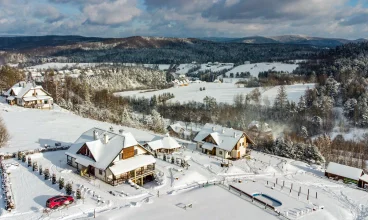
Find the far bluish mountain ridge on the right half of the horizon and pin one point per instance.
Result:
(290, 39)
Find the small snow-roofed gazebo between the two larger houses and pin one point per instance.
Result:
(166, 144)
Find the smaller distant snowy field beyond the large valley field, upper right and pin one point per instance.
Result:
(256, 68)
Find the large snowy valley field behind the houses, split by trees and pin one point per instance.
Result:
(223, 92)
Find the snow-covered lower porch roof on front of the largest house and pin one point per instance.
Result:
(123, 166)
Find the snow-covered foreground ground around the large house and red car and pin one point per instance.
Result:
(31, 128)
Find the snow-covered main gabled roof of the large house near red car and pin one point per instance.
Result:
(103, 153)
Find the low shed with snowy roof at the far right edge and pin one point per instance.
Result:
(346, 173)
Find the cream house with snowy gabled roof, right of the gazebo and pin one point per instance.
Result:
(222, 142)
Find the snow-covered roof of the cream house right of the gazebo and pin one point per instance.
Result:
(225, 138)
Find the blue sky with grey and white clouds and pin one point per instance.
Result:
(185, 18)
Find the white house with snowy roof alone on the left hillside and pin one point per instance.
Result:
(29, 95)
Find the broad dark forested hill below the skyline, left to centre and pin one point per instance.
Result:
(149, 50)
